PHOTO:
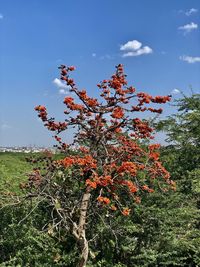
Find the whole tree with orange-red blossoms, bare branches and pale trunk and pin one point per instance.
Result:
(110, 164)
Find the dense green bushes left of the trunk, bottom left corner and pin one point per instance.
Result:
(28, 243)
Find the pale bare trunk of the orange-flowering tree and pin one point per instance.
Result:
(79, 230)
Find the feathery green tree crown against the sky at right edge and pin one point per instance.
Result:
(183, 131)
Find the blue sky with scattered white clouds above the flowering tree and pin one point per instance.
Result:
(157, 41)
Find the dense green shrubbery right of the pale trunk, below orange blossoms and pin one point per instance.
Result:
(160, 232)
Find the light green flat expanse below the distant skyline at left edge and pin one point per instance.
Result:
(13, 170)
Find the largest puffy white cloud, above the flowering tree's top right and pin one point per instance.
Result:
(134, 48)
